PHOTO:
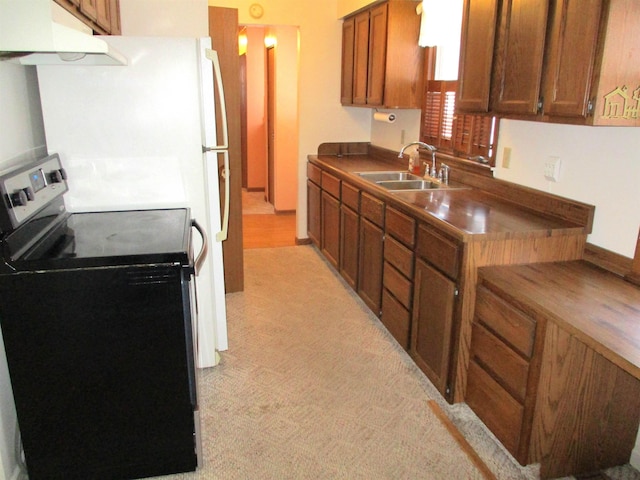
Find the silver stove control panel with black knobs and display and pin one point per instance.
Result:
(28, 189)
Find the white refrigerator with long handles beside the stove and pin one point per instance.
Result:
(144, 136)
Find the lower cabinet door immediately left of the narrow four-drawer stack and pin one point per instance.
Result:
(370, 270)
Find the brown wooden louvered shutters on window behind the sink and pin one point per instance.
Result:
(461, 135)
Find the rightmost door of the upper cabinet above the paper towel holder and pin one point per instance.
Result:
(377, 54)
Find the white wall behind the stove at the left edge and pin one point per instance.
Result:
(21, 137)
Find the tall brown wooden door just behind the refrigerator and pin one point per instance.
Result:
(223, 30)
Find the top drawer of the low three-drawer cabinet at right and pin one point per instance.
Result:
(509, 323)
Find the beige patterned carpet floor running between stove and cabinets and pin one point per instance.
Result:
(313, 387)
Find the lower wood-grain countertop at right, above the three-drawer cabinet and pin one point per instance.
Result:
(597, 307)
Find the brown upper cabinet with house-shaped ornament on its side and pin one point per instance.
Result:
(570, 61)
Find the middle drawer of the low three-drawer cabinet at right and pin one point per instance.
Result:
(508, 368)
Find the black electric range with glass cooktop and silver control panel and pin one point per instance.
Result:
(97, 311)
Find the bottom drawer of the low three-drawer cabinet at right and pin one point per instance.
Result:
(499, 411)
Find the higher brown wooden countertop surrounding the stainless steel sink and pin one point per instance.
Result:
(468, 214)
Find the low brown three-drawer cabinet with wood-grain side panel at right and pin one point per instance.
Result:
(547, 396)
